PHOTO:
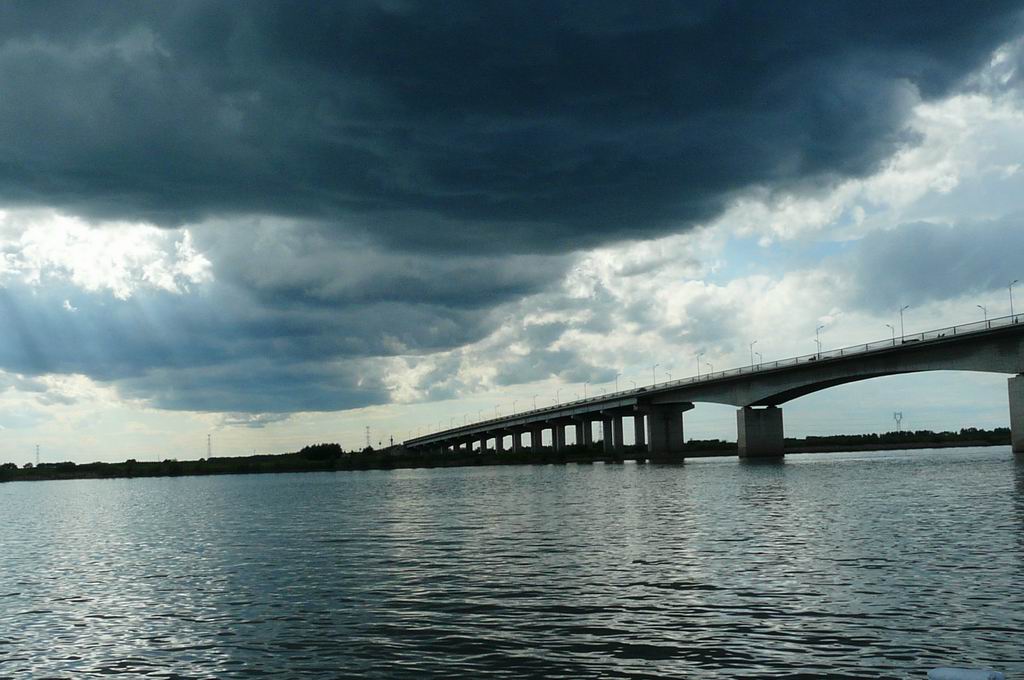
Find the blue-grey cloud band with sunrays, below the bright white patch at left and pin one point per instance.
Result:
(223, 350)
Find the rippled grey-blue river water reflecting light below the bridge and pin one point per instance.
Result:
(857, 566)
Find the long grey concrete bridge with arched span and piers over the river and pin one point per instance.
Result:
(996, 346)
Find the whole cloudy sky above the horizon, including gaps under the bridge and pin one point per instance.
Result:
(280, 224)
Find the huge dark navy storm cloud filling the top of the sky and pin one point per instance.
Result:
(463, 126)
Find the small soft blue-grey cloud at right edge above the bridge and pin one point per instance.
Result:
(925, 263)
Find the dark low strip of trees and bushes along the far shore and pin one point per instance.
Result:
(330, 457)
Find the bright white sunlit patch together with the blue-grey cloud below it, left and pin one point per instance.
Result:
(286, 316)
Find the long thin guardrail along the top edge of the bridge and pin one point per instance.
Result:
(878, 346)
